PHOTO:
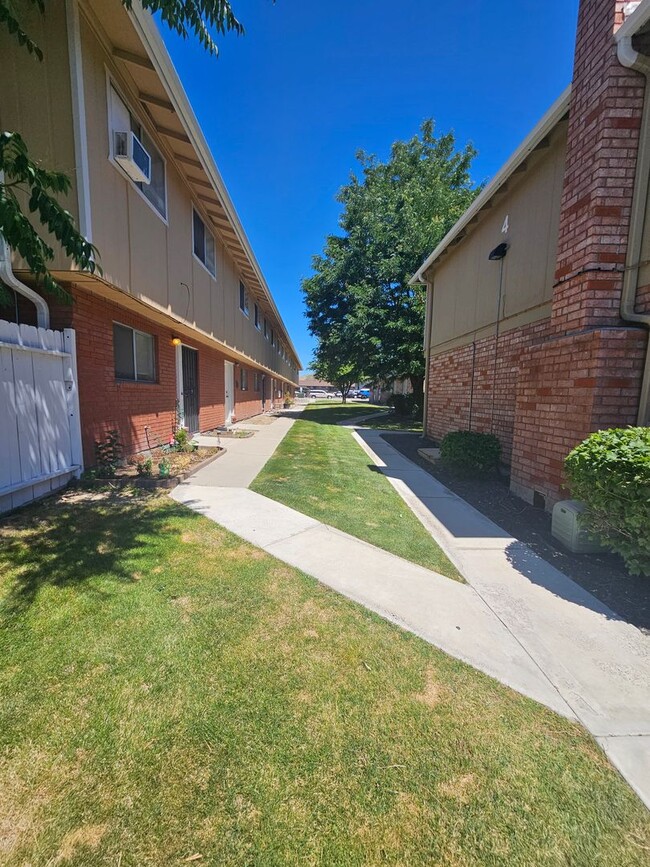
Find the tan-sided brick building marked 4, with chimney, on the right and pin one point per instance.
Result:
(538, 299)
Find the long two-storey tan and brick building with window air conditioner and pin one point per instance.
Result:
(179, 327)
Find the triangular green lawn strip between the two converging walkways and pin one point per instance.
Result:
(320, 470)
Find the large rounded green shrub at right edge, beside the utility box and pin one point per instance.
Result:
(610, 473)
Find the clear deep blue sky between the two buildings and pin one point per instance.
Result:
(285, 107)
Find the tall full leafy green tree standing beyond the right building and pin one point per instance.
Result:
(394, 213)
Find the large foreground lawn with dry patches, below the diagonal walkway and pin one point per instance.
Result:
(169, 691)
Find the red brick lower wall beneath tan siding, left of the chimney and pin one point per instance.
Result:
(450, 385)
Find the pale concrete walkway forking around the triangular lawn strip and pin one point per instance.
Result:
(518, 619)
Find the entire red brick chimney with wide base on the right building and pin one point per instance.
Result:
(586, 375)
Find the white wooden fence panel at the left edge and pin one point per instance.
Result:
(40, 433)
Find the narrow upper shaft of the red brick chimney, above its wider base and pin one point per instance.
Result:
(603, 136)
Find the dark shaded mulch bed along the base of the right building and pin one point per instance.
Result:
(604, 575)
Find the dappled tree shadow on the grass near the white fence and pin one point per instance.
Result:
(68, 540)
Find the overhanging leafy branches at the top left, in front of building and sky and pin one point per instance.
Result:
(21, 178)
